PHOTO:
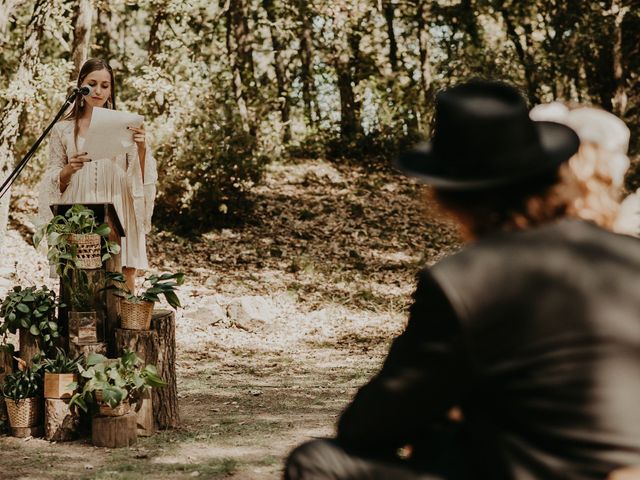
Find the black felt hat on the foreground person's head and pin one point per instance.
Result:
(484, 138)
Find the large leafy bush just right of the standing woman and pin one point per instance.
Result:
(208, 172)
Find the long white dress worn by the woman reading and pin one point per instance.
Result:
(115, 180)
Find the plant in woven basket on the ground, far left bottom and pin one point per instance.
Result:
(21, 390)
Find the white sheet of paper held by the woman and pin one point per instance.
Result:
(108, 135)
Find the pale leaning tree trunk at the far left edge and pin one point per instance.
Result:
(22, 88)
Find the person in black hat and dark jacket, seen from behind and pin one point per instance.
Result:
(531, 333)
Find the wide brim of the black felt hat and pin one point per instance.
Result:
(558, 143)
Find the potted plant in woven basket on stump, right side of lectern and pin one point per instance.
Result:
(136, 310)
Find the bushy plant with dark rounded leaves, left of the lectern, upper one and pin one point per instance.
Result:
(30, 311)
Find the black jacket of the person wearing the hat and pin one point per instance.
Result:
(536, 335)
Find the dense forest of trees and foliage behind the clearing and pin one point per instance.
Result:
(227, 86)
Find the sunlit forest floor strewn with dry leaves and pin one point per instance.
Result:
(322, 277)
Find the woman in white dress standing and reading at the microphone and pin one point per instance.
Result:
(127, 181)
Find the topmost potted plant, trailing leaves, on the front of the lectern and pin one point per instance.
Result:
(76, 240)
